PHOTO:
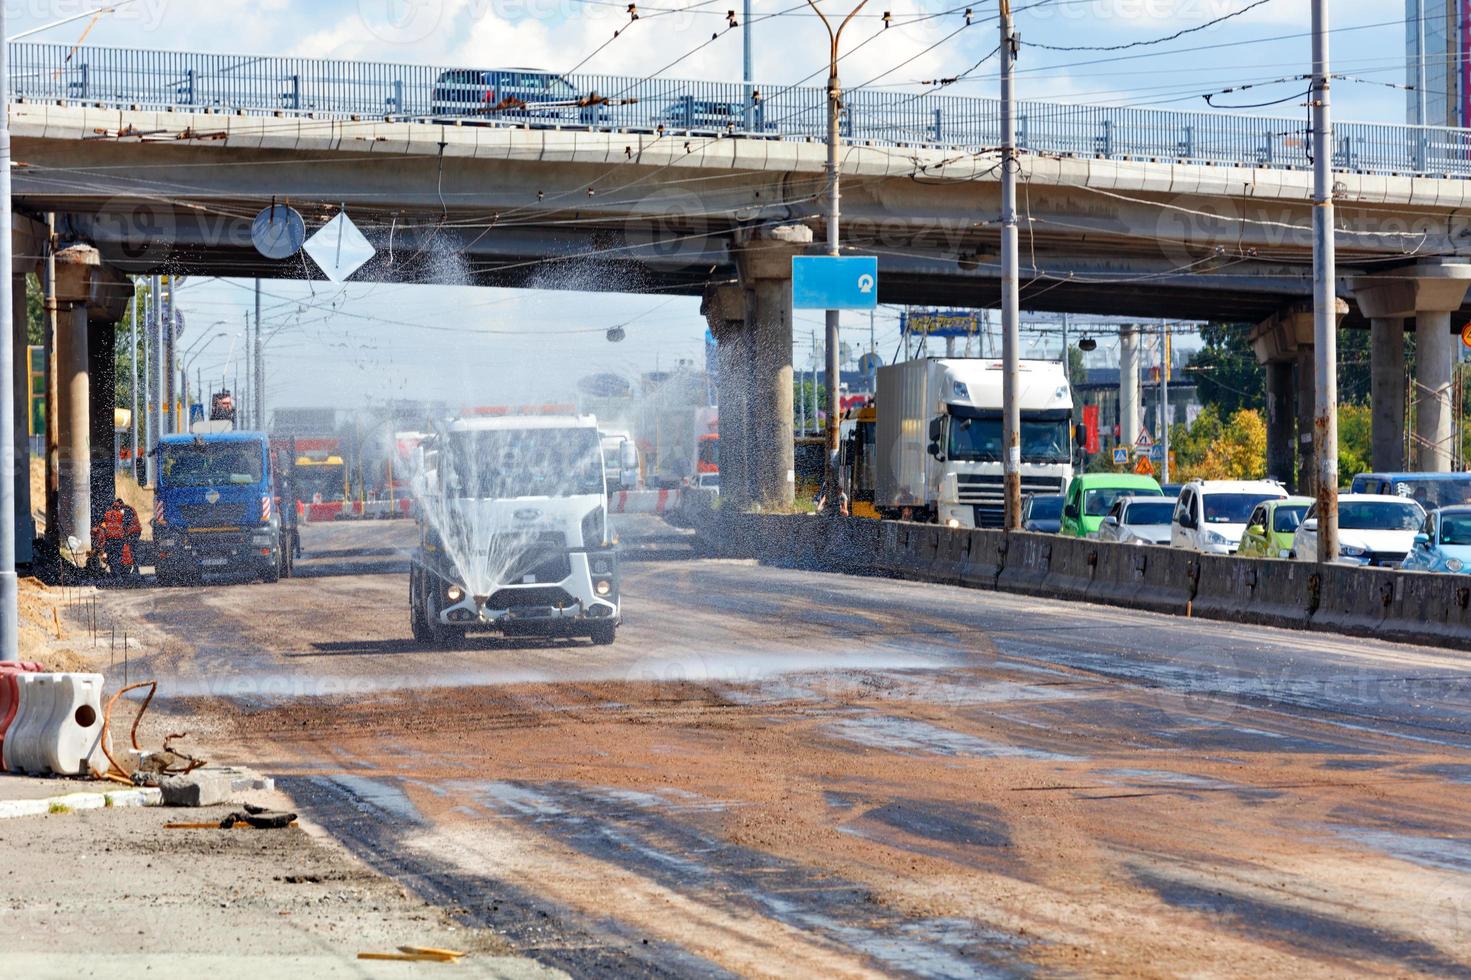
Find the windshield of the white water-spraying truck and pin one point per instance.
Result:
(527, 463)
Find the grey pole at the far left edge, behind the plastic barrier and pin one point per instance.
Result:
(10, 585)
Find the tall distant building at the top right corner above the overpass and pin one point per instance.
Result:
(1438, 58)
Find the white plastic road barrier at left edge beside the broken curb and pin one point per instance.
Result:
(58, 725)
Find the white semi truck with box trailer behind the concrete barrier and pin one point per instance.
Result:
(939, 439)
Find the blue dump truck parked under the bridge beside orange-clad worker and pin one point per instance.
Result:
(218, 508)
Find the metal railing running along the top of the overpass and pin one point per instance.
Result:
(526, 98)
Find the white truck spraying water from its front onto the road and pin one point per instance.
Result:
(514, 532)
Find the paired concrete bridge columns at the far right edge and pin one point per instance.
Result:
(1429, 292)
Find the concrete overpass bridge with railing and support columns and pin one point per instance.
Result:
(160, 161)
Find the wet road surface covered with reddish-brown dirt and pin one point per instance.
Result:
(786, 773)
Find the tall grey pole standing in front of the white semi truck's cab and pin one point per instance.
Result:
(1011, 277)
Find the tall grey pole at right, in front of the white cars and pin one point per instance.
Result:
(1325, 297)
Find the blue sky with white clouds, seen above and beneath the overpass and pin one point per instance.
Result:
(332, 348)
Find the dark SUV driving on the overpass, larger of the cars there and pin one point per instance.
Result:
(520, 95)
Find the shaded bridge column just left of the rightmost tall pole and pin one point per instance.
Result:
(1285, 345)
